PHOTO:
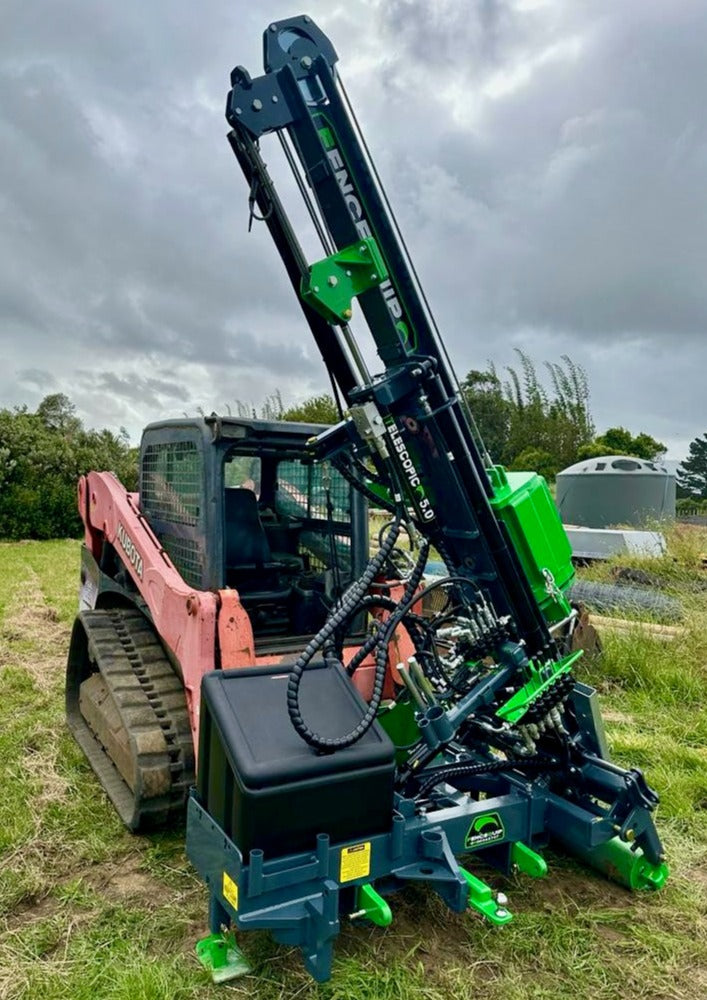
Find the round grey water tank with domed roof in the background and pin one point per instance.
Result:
(615, 489)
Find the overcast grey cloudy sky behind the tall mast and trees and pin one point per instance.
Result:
(546, 160)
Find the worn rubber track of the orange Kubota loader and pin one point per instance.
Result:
(150, 700)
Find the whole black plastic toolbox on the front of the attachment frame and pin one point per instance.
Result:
(268, 789)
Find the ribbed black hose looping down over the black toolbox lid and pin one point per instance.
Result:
(347, 606)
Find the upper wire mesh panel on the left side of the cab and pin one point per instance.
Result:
(172, 482)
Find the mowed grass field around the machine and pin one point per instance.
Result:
(89, 911)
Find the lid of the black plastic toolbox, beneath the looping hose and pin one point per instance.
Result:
(249, 707)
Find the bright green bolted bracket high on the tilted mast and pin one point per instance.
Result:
(333, 282)
